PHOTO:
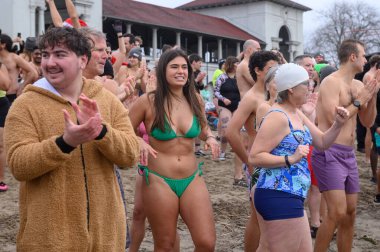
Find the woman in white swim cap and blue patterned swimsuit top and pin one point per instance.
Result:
(280, 149)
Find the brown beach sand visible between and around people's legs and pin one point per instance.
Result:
(231, 210)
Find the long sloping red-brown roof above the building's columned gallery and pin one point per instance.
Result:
(143, 13)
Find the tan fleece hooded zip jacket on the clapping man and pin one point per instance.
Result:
(68, 201)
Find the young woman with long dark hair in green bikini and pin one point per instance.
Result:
(174, 115)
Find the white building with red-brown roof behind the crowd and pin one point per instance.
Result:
(219, 27)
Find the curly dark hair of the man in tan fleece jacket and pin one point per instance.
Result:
(71, 38)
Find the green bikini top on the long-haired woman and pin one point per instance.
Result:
(170, 134)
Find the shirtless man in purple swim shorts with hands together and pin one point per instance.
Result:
(336, 168)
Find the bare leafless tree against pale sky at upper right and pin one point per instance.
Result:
(346, 21)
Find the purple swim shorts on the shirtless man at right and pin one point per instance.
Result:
(336, 169)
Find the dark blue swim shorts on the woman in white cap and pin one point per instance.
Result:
(278, 205)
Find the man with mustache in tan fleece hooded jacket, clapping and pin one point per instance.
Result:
(62, 137)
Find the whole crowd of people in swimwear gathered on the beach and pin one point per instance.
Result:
(73, 112)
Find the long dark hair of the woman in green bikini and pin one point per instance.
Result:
(163, 93)
